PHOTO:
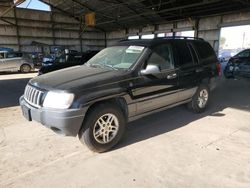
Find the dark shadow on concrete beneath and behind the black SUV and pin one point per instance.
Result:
(229, 94)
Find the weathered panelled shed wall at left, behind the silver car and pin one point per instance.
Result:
(47, 28)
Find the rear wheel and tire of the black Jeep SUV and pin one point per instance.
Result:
(200, 100)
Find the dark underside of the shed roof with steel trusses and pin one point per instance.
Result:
(121, 14)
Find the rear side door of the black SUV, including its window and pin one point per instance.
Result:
(186, 69)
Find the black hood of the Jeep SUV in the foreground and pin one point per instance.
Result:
(77, 77)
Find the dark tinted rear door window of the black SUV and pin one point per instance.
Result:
(184, 54)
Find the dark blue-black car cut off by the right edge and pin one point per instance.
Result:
(239, 65)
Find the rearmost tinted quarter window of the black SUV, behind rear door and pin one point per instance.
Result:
(205, 51)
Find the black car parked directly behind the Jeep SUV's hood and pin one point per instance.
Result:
(69, 60)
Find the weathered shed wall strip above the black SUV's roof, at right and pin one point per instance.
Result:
(207, 28)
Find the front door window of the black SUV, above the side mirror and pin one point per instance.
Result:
(161, 56)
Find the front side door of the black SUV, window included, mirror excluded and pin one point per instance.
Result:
(154, 91)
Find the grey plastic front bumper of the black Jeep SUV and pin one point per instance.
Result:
(65, 122)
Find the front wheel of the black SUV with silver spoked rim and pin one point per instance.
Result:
(101, 143)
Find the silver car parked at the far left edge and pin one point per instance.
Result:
(14, 61)
